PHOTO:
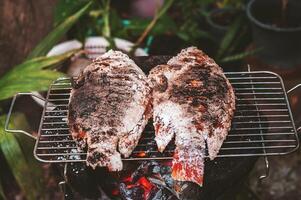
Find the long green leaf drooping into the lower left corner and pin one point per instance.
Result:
(23, 172)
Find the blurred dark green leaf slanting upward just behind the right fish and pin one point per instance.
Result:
(229, 38)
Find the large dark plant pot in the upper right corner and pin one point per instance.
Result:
(276, 29)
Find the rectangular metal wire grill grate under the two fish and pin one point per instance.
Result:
(262, 125)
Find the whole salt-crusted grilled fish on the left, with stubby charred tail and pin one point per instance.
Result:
(109, 108)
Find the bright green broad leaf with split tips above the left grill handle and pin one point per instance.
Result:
(31, 75)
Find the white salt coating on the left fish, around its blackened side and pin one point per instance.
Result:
(133, 118)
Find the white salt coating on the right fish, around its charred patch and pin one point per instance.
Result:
(175, 118)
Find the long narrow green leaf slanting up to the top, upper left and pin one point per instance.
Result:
(53, 37)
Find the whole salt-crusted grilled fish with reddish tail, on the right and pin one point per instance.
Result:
(193, 100)
